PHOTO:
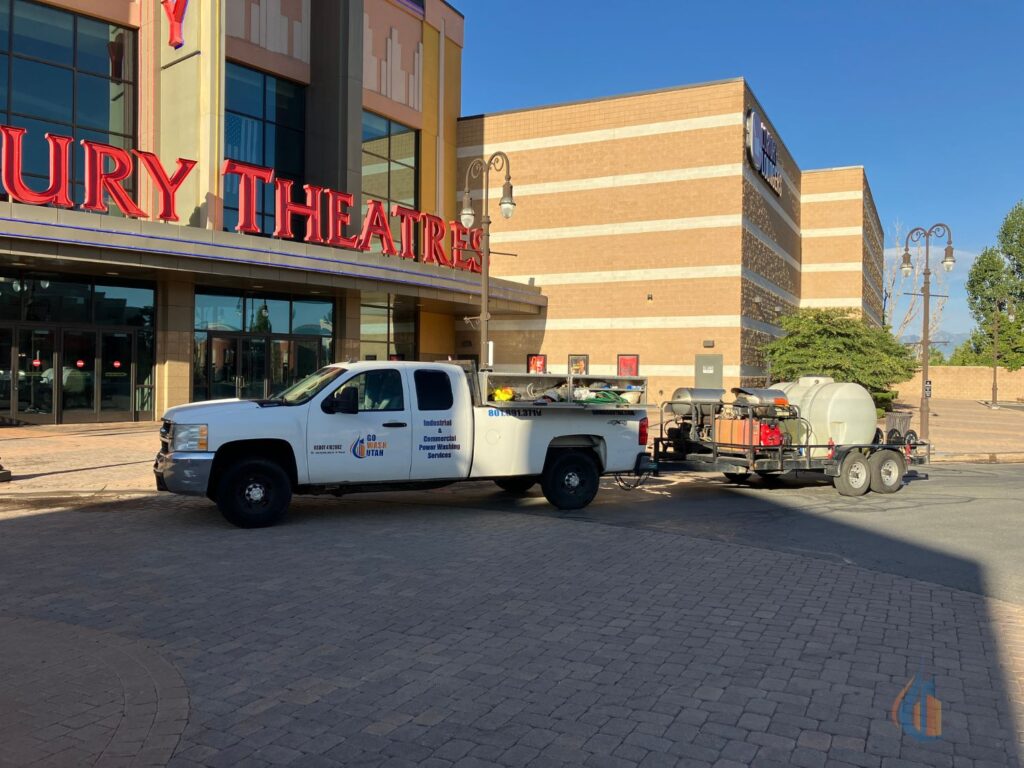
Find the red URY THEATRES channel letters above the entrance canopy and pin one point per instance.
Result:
(326, 212)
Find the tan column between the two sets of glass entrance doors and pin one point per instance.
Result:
(176, 321)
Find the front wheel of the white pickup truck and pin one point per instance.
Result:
(254, 494)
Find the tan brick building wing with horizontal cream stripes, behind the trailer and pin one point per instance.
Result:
(669, 231)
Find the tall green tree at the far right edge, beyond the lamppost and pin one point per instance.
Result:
(995, 292)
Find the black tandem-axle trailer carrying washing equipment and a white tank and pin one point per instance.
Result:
(815, 424)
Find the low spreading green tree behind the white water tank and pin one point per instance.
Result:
(837, 344)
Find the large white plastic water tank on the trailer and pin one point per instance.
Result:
(843, 413)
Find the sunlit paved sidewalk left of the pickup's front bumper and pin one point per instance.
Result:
(79, 459)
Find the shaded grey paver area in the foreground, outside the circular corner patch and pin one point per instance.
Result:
(390, 632)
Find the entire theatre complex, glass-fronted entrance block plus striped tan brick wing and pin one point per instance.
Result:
(214, 199)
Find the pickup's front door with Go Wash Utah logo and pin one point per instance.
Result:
(372, 446)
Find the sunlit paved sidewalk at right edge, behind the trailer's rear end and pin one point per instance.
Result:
(968, 431)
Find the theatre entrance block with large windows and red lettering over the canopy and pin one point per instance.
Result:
(149, 151)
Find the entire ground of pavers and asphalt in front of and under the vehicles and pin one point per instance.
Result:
(689, 623)
